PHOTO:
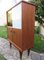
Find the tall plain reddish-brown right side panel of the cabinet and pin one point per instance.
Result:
(28, 25)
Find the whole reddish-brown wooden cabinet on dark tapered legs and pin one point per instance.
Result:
(20, 21)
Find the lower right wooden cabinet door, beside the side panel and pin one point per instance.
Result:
(17, 37)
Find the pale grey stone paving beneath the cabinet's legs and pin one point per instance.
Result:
(13, 53)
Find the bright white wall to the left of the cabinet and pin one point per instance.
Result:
(4, 6)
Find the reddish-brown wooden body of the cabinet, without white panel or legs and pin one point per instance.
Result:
(23, 38)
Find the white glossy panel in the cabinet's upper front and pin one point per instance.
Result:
(17, 17)
